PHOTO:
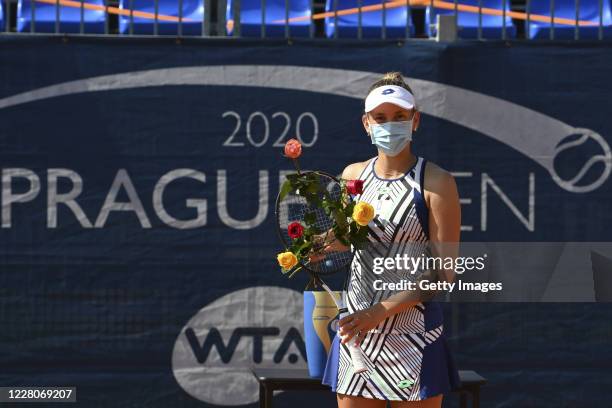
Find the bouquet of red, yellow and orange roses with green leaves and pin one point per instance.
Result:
(349, 218)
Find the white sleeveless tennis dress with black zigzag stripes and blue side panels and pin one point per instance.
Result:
(407, 355)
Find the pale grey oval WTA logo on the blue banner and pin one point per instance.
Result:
(256, 326)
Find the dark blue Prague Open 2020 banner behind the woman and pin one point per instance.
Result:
(138, 185)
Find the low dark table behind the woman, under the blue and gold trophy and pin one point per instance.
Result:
(272, 379)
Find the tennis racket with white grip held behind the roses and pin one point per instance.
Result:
(292, 207)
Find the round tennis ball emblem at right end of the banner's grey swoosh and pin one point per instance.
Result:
(593, 172)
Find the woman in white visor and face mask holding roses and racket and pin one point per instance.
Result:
(415, 200)
